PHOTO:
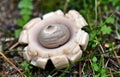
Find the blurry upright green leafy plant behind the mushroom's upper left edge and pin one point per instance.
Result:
(26, 8)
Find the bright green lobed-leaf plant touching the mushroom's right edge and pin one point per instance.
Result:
(96, 31)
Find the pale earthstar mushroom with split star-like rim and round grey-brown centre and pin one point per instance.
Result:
(57, 37)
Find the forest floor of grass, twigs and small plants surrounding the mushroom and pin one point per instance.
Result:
(101, 59)
